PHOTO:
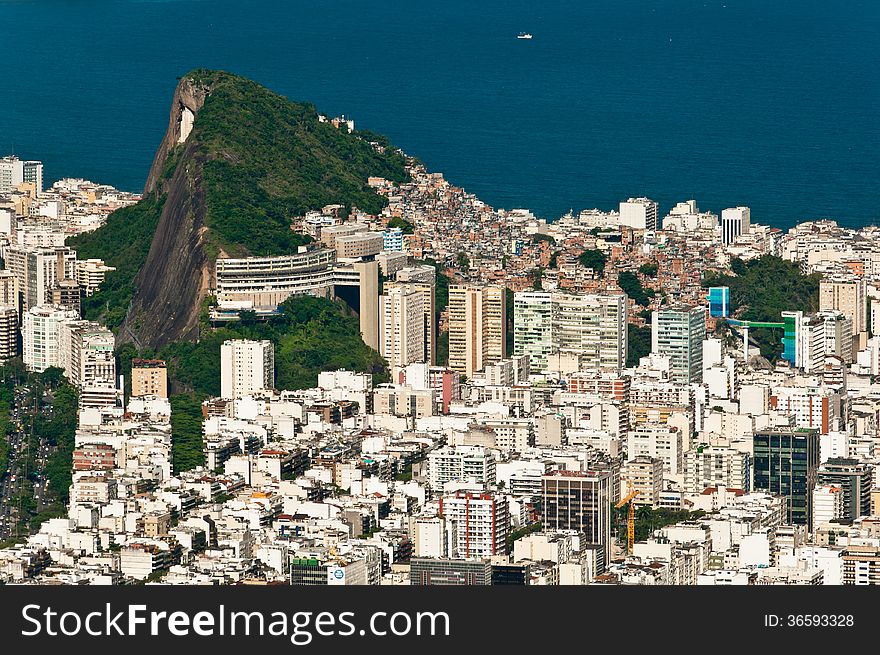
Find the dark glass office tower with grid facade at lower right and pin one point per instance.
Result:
(786, 462)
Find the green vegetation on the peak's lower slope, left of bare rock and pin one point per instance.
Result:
(123, 242)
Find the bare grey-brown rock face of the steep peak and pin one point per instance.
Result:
(176, 274)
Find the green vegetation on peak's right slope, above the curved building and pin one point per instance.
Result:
(269, 159)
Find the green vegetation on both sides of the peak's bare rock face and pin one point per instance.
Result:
(266, 160)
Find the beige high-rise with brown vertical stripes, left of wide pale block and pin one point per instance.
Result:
(477, 327)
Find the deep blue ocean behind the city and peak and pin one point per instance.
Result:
(771, 104)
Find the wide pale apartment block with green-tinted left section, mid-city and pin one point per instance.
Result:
(593, 326)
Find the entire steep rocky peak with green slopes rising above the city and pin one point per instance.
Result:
(237, 163)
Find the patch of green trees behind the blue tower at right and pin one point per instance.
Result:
(762, 290)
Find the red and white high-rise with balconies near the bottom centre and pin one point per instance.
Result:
(482, 523)
